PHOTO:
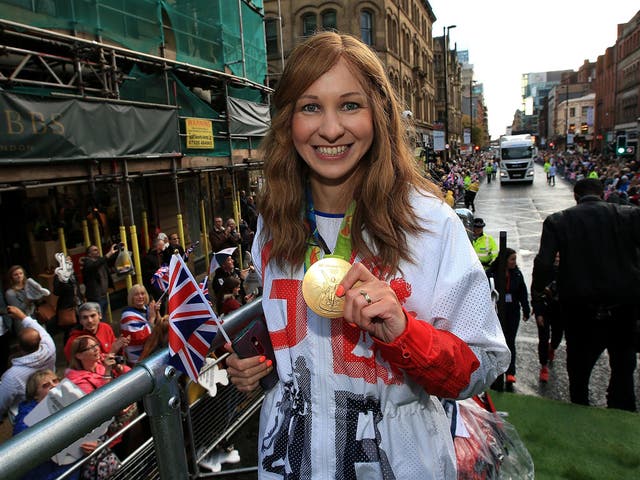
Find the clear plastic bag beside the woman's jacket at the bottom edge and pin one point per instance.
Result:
(491, 447)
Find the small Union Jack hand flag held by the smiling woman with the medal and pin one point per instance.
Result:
(192, 323)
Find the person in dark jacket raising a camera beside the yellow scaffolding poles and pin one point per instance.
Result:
(95, 274)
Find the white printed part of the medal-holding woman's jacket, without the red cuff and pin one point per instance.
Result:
(340, 410)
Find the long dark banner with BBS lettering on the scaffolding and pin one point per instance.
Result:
(50, 128)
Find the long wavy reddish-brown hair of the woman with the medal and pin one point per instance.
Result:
(384, 177)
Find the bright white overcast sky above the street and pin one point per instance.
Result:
(507, 38)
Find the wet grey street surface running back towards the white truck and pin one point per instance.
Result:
(520, 210)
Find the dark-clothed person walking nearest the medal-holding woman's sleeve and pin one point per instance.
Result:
(516, 300)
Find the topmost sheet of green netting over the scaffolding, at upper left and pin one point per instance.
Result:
(206, 33)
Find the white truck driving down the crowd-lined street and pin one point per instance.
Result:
(516, 158)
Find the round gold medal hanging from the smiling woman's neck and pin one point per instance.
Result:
(319, 286)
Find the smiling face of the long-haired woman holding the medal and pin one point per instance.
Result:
(332, 125)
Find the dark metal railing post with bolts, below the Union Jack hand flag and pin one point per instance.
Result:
(162, 406)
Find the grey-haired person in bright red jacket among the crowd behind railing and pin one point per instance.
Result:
(90, 316)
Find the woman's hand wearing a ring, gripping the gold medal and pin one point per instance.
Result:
(371, 304)
